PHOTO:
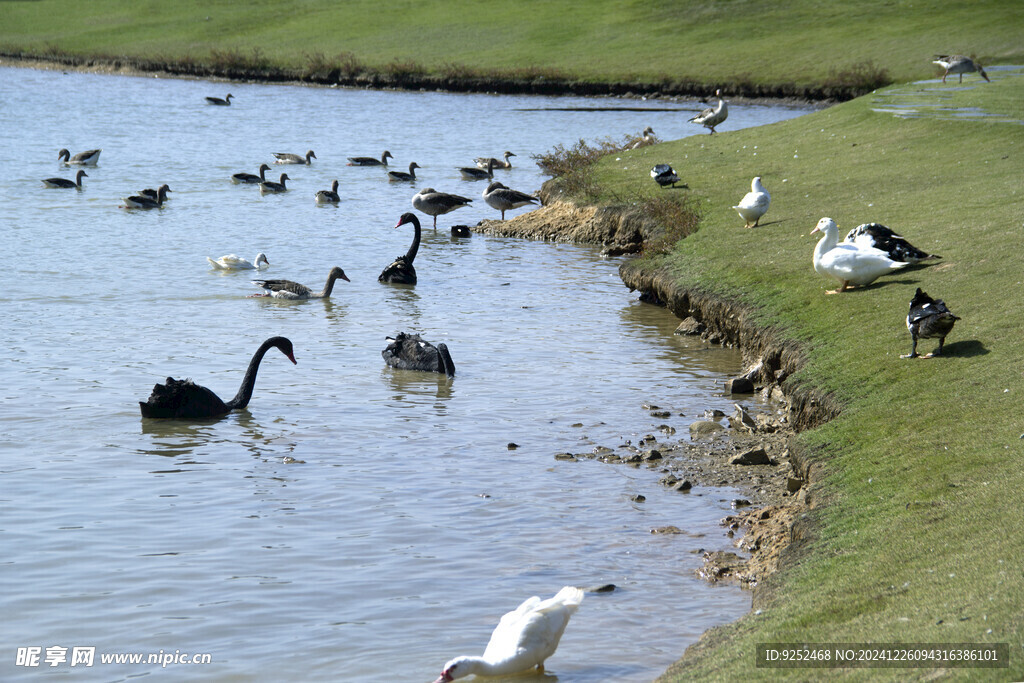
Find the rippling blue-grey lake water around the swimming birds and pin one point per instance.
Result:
(355, 523)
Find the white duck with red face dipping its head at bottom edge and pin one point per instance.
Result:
(524, 638)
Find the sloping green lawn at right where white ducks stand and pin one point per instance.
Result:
(919, 540)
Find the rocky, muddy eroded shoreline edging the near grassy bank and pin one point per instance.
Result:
(778, 483)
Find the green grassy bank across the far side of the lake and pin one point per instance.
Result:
(742, 44)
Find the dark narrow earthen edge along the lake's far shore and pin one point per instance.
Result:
(537, 86)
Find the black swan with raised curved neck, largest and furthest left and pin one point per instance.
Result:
(183, 399)
